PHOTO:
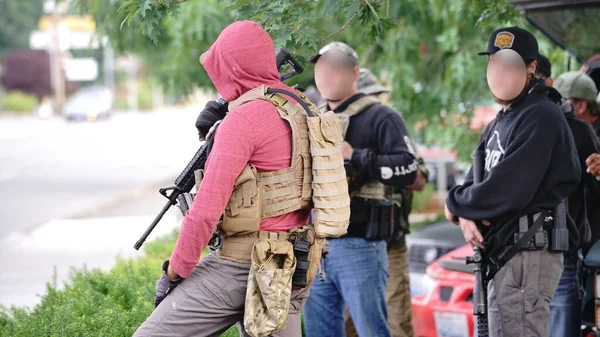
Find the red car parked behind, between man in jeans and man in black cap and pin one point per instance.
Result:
(446, 309)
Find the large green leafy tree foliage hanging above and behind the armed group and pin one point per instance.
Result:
(425, 49)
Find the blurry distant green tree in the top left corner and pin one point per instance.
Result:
(18, 19)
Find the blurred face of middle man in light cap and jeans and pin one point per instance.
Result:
(336, 79)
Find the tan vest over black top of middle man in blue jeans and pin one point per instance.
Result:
(372, 189)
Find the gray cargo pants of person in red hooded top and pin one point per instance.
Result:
(210, 301)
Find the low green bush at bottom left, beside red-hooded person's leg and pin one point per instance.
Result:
(94, 302)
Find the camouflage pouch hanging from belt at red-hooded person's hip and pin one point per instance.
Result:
(269, 289)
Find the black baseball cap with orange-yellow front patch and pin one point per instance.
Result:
(515, 38)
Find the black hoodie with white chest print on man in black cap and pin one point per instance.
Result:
(531, 164)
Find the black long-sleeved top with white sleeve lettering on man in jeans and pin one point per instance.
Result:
(382, 152)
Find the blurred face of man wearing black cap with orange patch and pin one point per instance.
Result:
(507, 75)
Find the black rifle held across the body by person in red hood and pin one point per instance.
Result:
(186, 180)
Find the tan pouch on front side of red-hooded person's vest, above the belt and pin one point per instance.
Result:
(243, 212)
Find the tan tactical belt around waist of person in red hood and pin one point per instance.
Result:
(238, 248)
